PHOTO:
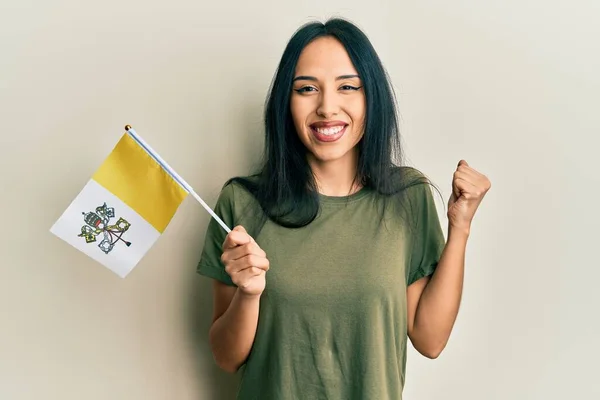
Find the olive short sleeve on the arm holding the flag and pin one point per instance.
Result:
(210, 264)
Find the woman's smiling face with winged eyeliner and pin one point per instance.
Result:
(328, 102)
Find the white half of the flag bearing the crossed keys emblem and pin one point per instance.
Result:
(133, 229)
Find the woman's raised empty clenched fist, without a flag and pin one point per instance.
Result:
(468, 189)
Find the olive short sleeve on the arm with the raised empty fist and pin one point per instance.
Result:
(428, 240)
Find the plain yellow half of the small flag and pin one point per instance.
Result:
(131, 174)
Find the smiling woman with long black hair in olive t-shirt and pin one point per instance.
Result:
(337, 257)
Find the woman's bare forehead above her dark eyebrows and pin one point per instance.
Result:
(324, 57)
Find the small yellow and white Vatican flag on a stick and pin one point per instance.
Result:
(125, 206)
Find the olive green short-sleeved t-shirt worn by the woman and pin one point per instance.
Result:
(332, 320)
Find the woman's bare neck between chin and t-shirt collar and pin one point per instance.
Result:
(336, 178)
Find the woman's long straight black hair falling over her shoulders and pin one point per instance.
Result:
(285, 186)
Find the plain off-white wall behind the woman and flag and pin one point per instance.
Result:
(510, 86)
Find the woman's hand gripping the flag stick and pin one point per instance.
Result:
(245, 262)
